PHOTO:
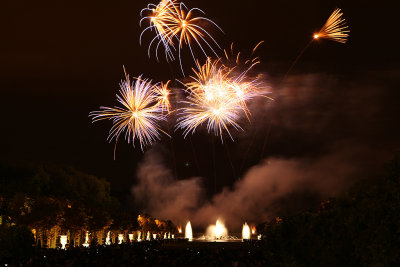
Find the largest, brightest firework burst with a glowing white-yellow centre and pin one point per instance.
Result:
(217, 97)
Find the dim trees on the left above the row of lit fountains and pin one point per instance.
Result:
(41, 197)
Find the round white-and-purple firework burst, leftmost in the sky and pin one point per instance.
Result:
(139, 115)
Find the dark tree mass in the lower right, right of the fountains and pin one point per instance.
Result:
(358, 229)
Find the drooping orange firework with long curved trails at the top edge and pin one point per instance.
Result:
(177, 25)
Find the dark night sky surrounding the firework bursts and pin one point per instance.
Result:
(62, 59)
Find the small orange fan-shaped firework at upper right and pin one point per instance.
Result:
(335, 28)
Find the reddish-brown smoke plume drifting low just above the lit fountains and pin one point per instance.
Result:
(272, 188)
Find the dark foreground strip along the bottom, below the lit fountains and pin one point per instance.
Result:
(155, 254)
